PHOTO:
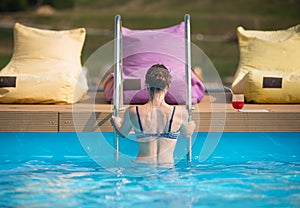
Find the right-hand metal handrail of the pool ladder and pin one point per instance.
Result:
(188, 78)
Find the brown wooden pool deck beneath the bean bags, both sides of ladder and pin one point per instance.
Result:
(93, 114)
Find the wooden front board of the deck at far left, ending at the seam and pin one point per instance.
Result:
(28, 121)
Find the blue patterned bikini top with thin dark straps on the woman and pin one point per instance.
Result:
(169, 134)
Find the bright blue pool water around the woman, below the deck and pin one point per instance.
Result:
(54, 170)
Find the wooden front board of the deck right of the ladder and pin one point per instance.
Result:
(238, 121)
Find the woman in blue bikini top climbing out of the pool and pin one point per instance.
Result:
(157, 125)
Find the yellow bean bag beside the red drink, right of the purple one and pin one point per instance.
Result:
(267, 54)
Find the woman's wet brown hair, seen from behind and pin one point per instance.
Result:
(158, 78)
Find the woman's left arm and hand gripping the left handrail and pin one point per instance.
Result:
(122, 126)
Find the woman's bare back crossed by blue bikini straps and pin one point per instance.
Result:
(157, 129)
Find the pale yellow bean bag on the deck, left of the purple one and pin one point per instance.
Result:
(47, 66)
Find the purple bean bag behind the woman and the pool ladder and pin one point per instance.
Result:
(144, 48)
